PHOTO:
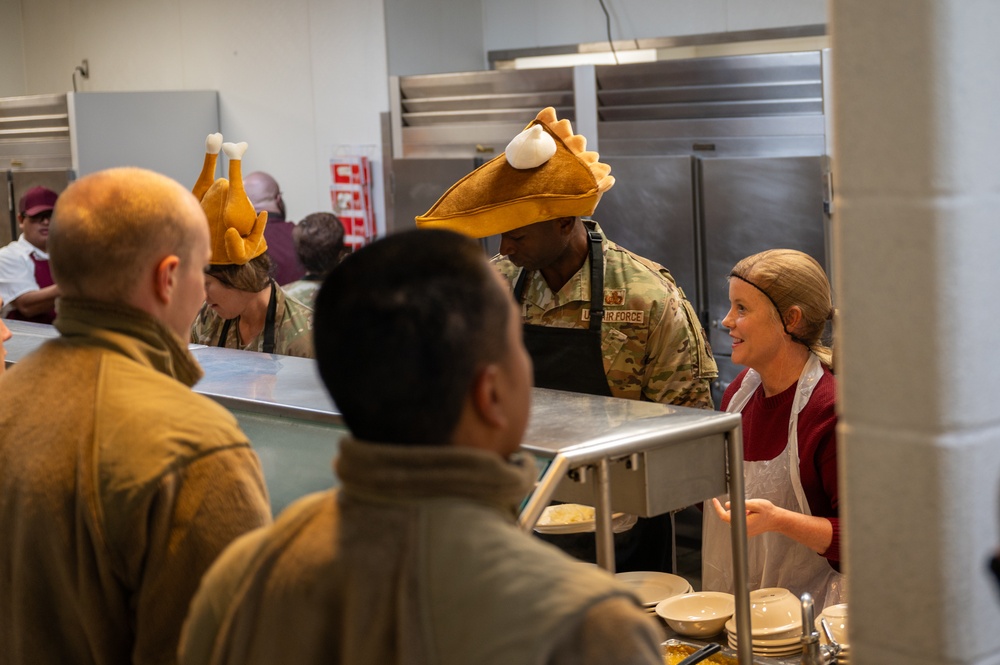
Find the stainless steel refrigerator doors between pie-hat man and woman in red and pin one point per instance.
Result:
(698, 216)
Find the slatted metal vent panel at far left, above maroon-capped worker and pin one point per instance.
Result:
(34, 133)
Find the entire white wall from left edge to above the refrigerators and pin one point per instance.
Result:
(297, 78)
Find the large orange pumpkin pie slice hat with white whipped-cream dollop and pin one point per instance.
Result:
(545, 172)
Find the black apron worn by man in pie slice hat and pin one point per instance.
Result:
(571, 358)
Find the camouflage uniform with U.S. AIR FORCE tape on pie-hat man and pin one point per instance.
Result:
(654, 346)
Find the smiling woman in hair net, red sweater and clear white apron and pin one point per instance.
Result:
(779, 306)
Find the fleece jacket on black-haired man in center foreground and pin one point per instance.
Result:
(415, 561)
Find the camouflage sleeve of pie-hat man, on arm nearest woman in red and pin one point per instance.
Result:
(680, 365)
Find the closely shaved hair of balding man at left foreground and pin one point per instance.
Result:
(108, 227)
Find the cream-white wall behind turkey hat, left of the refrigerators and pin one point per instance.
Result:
(295, 78)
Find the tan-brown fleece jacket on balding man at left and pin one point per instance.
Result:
(118, 487)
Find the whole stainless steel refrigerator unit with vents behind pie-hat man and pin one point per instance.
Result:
(714, 158)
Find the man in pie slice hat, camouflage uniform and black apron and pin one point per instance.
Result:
(598, 318)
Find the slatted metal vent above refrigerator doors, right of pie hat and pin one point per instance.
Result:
(746, 86)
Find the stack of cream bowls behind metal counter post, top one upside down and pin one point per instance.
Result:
(775, 623)
